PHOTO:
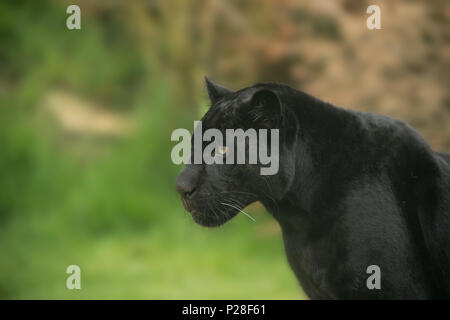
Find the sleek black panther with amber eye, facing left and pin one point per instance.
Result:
(353, 189)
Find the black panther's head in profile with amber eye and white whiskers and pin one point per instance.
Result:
(215, 193)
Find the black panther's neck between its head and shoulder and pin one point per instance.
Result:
(323, 149)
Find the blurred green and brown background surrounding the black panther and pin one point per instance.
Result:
(86, 117)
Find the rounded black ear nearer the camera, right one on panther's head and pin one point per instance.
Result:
(264, 109)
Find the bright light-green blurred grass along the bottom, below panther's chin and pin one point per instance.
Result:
(181, 263)
